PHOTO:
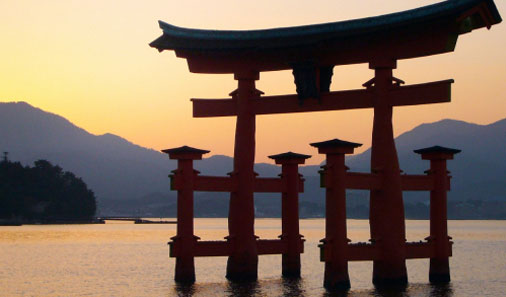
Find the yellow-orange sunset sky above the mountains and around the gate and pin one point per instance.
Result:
(89, 61)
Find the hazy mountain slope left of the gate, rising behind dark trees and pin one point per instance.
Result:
(113, 167)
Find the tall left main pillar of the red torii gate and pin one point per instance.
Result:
(243, 262)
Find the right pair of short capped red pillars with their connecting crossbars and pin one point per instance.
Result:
(336, 250)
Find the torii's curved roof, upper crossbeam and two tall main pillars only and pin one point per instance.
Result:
(312, 52)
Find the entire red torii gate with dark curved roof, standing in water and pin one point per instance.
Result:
(312, 52)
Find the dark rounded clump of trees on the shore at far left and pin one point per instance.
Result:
(43, 192)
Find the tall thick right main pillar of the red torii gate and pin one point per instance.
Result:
(386, 205)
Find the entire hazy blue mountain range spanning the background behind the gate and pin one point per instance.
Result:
(130, 179)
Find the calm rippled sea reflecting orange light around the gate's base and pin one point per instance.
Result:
(132, 260)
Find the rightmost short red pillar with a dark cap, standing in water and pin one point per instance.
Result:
(439, 271)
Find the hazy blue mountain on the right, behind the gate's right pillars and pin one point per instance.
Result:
(479, 171)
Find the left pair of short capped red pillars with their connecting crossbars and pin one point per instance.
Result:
(185, 245)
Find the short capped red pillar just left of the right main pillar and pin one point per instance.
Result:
(336, 240)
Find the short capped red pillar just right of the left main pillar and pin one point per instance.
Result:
(290, 211)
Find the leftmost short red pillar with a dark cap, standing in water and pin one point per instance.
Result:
(184, 241)
